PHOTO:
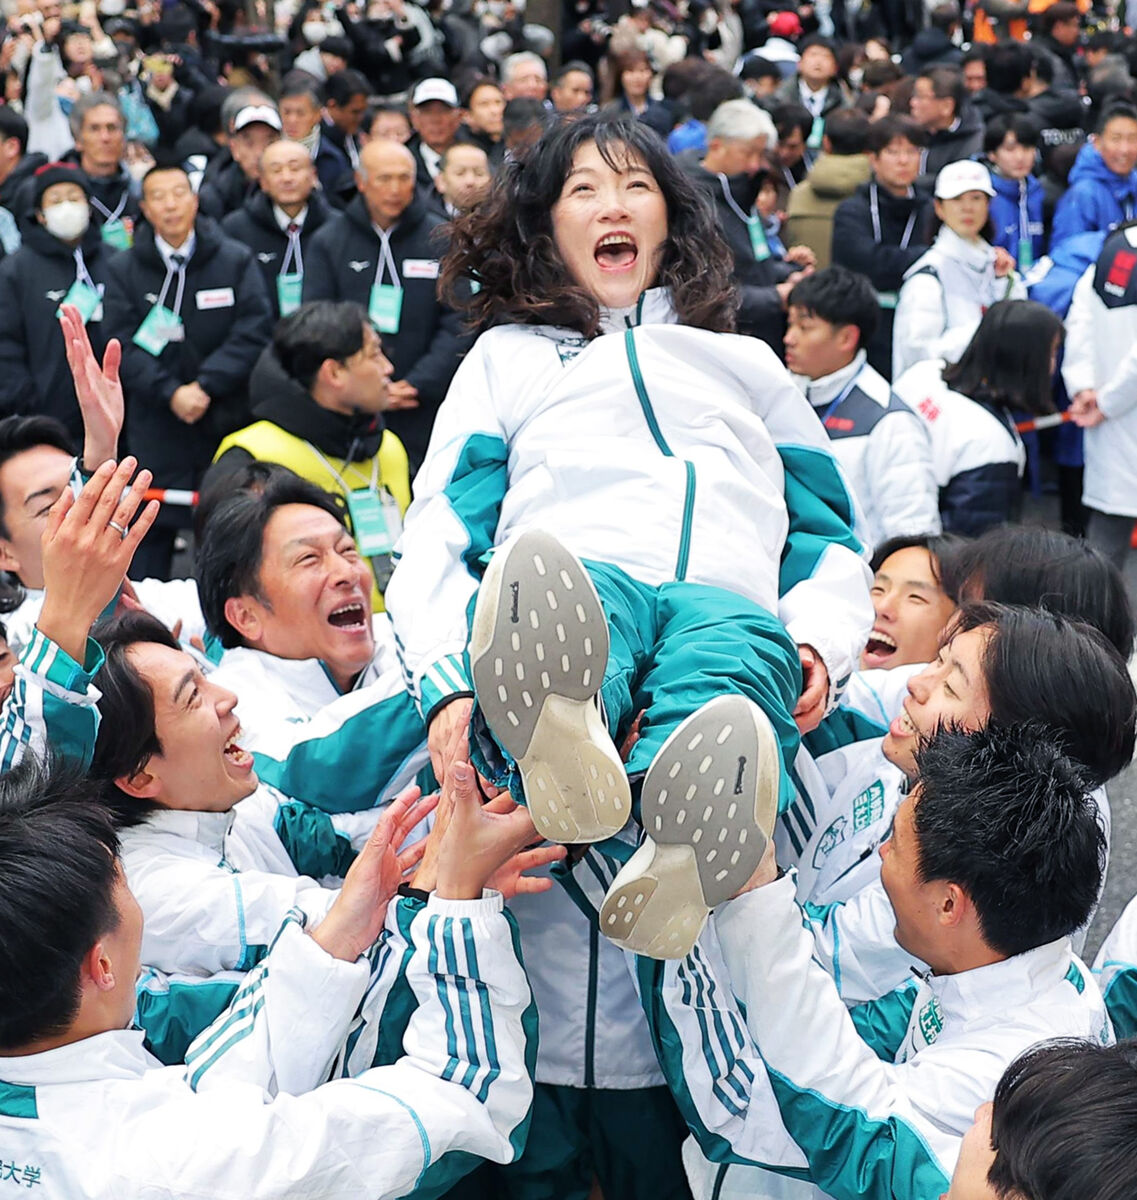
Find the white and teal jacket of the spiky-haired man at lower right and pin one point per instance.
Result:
(876, 1099)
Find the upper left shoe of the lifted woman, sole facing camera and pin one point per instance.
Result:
(539, 650)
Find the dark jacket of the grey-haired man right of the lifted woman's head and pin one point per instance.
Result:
(761, 314)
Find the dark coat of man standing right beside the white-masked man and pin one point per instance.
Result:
(227, 323)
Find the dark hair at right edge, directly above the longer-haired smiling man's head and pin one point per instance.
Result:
(1036, 567)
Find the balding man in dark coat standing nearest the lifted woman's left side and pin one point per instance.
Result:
(383, 254)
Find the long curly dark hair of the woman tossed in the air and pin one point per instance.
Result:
(507, 244)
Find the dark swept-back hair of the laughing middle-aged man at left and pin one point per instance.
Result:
(232, 548)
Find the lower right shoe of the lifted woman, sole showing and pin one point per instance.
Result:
(708, 808)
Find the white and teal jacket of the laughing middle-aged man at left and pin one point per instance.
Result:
(340, 752)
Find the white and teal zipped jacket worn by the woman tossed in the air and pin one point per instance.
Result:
(671, 453)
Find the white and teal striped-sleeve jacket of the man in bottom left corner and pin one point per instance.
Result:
(101, 1119)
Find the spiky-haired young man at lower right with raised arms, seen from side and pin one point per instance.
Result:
(995, 860)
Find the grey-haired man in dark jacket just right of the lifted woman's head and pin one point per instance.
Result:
(739, 136)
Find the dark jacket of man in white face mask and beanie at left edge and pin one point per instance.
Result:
(34, 281)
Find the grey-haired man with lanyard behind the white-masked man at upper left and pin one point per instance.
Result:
(100, 131)
